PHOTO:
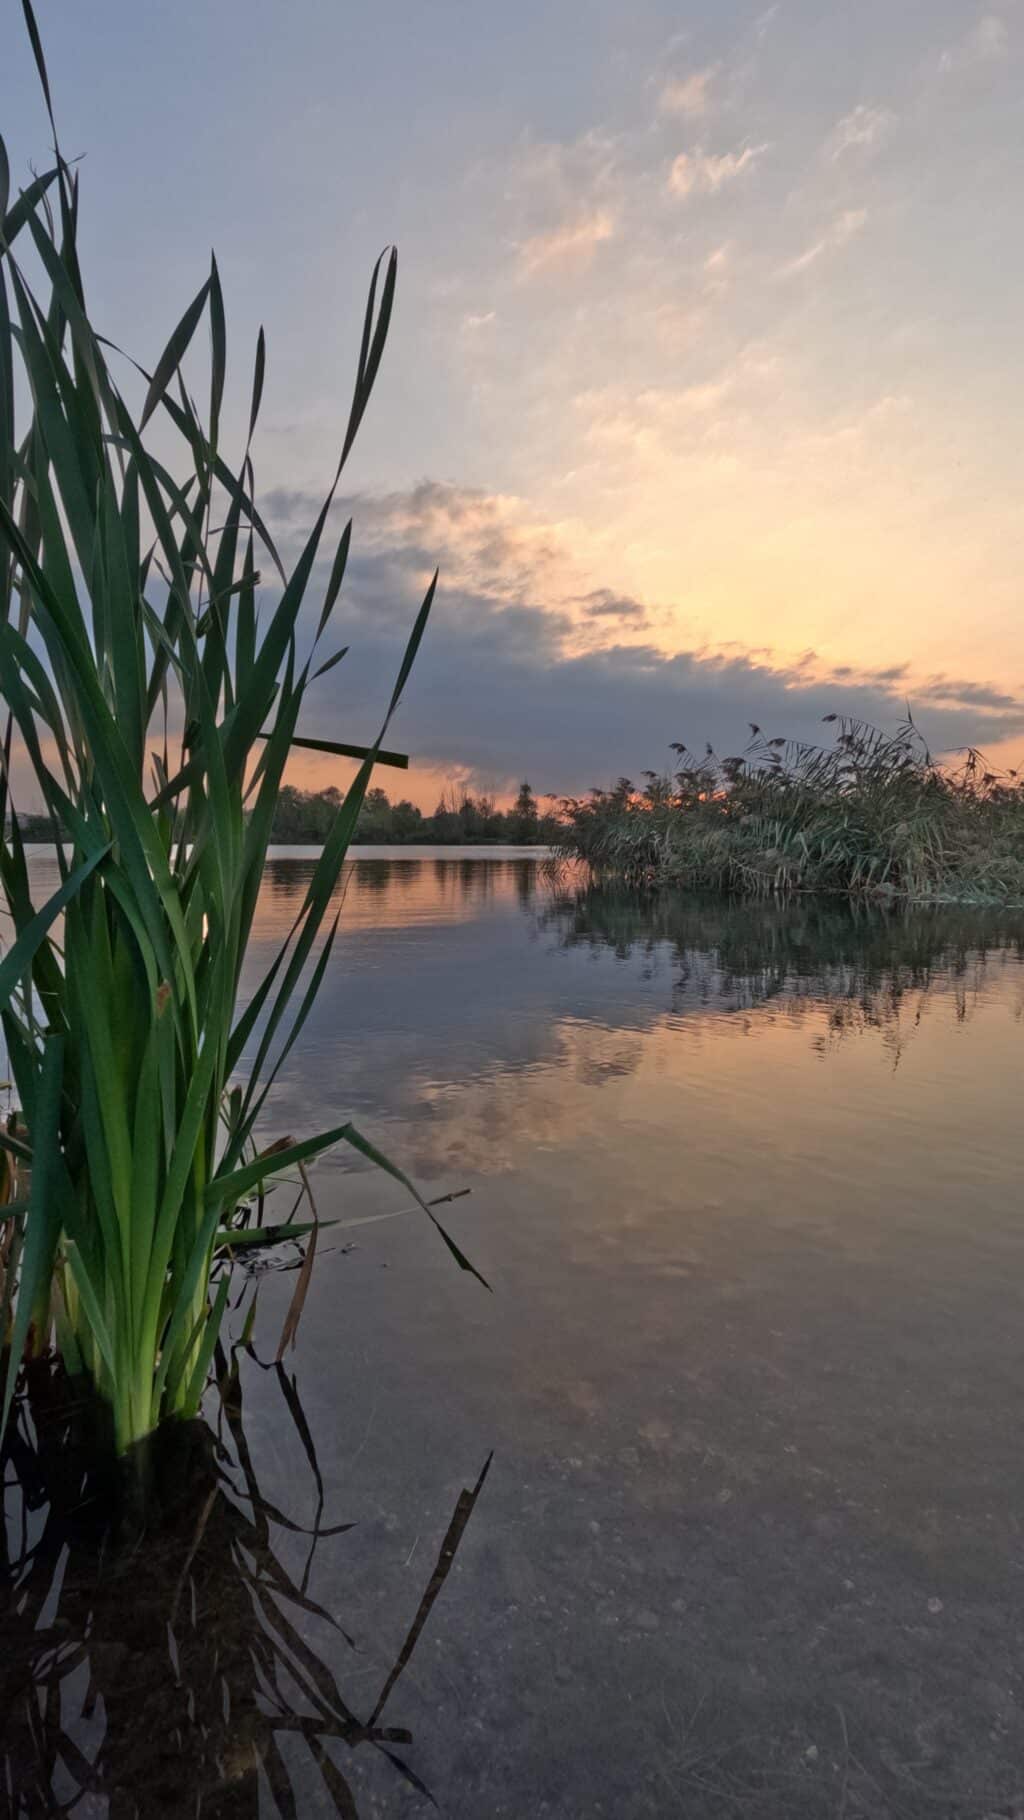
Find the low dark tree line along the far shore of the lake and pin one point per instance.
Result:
(305, 816)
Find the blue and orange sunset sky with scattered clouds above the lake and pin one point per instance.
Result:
(705, 383)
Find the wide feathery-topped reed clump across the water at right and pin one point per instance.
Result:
(870, 814)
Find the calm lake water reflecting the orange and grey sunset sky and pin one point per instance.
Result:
(747, 1189)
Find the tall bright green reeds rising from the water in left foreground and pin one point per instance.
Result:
(156, 709)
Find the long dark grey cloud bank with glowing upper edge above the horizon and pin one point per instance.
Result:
(503, 682)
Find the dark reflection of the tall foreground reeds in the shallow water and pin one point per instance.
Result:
(176, 1668)
